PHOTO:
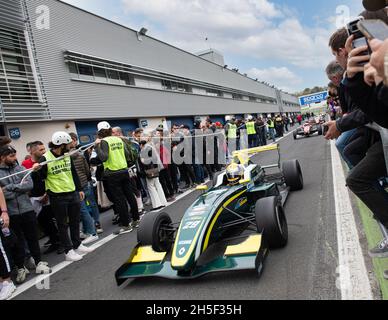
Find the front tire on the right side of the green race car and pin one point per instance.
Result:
(272, 222)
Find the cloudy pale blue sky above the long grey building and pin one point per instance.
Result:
(284, 43)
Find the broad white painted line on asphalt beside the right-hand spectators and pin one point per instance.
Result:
(353, 276)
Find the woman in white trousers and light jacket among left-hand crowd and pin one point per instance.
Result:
(150, 166)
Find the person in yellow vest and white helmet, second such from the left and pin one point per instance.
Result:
(114, 155)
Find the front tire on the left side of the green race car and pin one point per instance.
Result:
(151, 233)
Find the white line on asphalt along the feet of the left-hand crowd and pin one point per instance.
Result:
(39, 281)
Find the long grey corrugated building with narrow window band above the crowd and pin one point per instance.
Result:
(66, 69)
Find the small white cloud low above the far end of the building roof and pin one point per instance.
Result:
(282, 77)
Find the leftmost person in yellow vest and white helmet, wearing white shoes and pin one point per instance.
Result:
(65, 194)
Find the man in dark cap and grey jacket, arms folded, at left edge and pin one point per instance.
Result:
(23, 221)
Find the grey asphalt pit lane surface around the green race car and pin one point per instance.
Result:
(305, 269)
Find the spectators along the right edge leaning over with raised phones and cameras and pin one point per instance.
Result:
(359, 97)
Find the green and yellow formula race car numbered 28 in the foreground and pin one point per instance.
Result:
(230, 227)
